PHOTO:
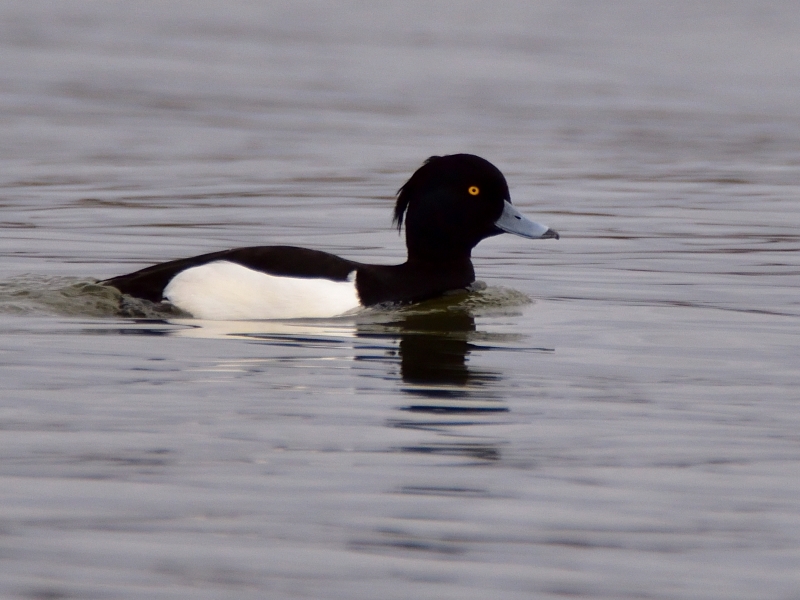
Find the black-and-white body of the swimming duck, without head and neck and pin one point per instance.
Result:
(284, 282)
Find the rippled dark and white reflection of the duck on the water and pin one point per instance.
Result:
(431, 349)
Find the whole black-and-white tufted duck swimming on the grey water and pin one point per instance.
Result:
(448, 206)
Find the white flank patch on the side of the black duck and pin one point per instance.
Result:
(225, 291)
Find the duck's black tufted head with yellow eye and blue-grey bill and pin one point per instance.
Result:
(453, 202)
